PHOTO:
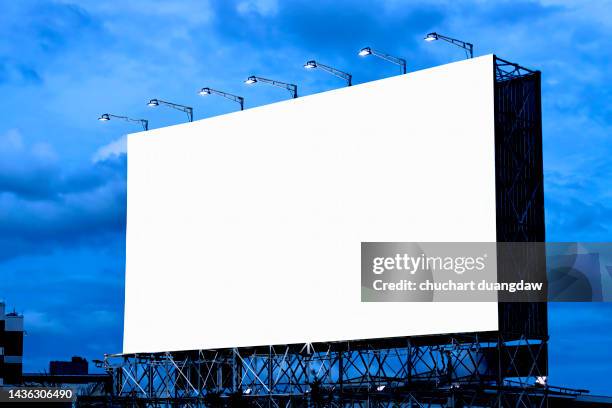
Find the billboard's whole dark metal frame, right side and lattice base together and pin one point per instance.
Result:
(470, 369)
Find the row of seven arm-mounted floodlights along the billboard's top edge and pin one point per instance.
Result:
(292, 88)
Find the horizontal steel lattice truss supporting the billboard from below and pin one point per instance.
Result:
(423, 371)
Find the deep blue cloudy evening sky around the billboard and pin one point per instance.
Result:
(62, 173)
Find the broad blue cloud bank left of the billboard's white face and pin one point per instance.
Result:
(44, 204)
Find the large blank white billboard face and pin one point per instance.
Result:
(245, 229)
